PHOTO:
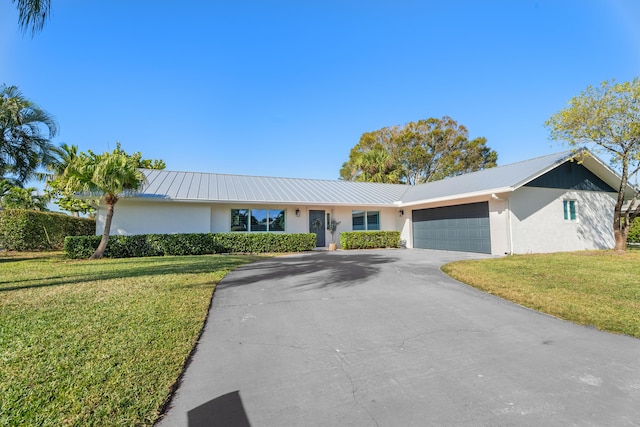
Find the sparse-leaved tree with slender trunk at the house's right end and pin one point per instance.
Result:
(606, 119)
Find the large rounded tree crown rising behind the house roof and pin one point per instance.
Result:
(418, 152)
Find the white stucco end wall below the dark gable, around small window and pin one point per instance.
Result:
(538, 224)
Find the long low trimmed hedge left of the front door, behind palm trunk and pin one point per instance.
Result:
(143, 245)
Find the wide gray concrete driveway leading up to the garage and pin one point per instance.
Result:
(384, 338)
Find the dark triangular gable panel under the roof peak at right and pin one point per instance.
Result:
(571, 176)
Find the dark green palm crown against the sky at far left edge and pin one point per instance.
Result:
(24, 147)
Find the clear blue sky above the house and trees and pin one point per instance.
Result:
(286, 88)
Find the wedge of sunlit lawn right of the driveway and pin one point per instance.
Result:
(595, 288)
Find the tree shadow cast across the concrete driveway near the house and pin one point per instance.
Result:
(317, 270)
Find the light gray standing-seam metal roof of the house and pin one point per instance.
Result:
(212, 187)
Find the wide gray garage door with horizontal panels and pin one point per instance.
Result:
(453, 228)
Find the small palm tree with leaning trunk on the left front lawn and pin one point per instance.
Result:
(108, 176)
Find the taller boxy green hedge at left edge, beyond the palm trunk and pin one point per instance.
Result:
(25, 230)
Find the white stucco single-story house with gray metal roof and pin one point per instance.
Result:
(547, 204)
